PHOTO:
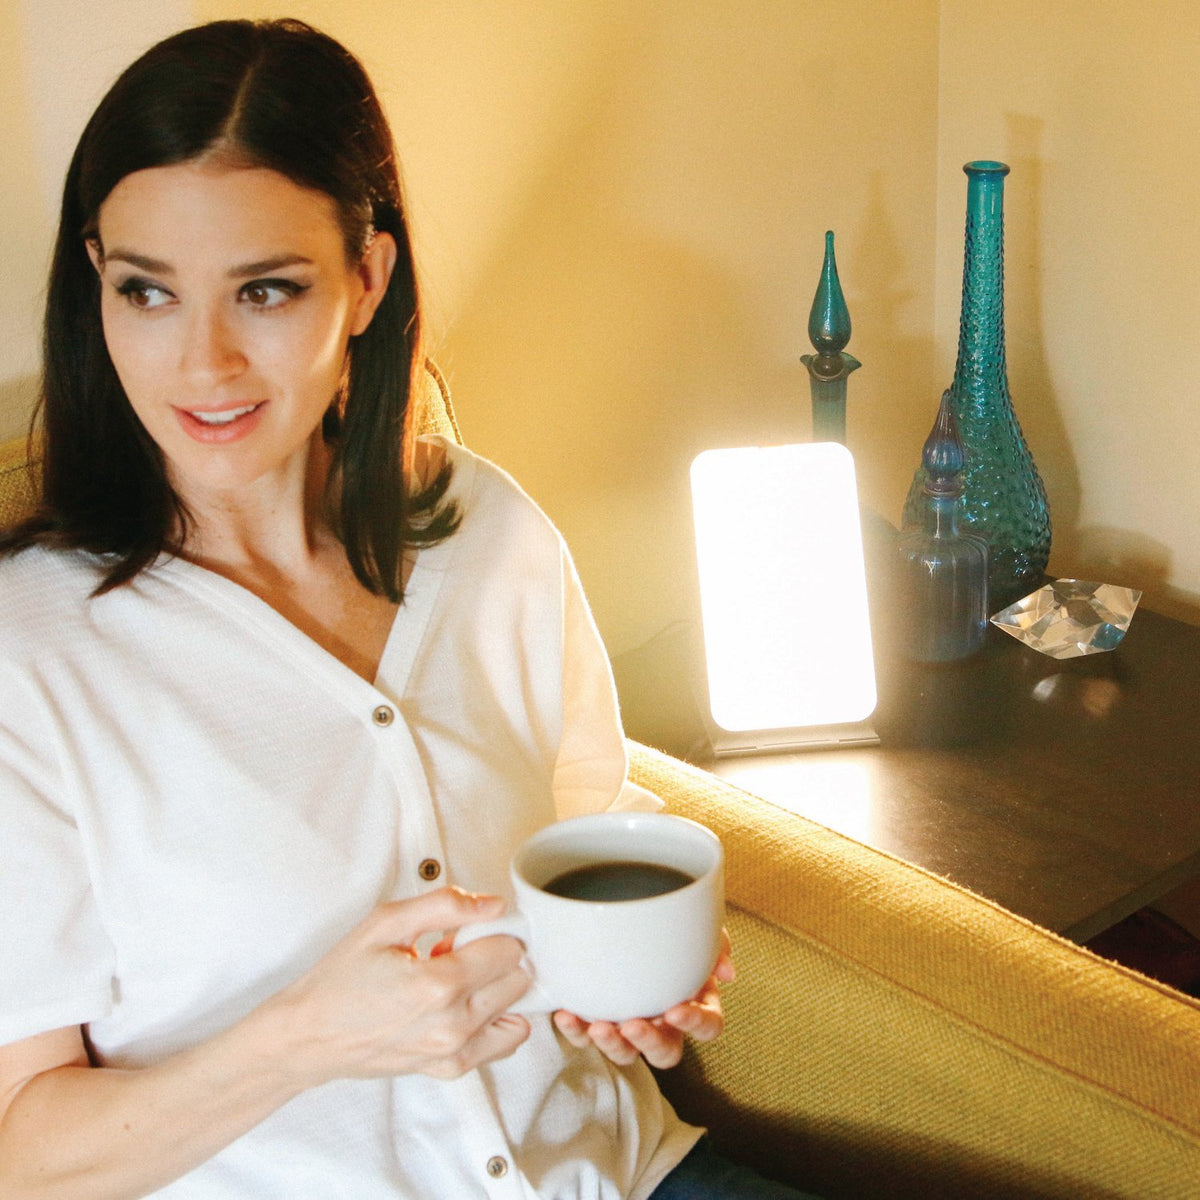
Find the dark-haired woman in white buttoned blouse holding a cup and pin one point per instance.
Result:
(284, 689)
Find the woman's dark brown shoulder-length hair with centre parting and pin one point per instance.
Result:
(274, 94)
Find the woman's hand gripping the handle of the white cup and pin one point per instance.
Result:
(373, 1007)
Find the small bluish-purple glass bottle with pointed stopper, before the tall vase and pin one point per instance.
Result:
(943, 572)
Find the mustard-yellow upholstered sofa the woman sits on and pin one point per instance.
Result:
(891, 1035)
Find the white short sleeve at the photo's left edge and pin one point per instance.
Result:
(57, 962)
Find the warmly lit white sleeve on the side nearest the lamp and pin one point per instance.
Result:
(591, 772)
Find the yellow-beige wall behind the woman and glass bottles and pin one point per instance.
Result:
(620, 211)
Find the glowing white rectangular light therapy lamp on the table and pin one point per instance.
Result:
(783, 587)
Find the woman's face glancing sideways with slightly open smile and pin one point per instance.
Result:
(229, 305)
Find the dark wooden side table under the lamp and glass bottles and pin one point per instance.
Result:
(1066, 791)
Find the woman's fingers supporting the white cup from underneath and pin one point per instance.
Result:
(659, 1040)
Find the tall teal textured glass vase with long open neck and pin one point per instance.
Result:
(1004, 497)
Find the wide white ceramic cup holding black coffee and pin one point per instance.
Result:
(615, 959)
